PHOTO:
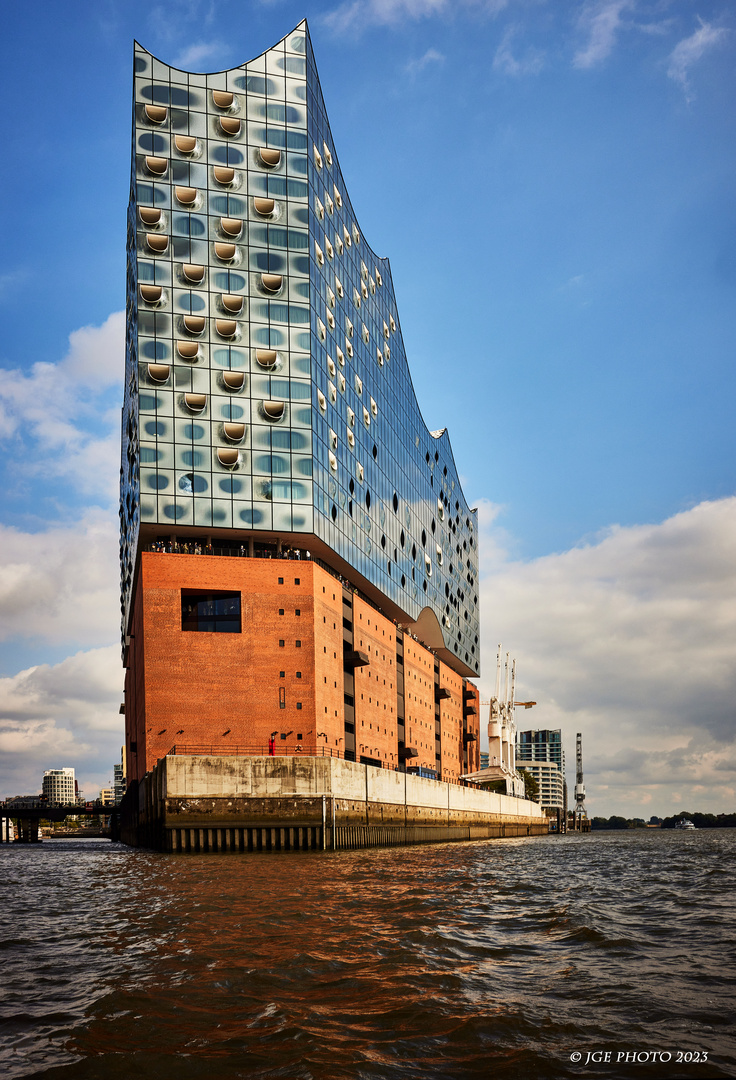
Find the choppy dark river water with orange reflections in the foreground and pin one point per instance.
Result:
(491, 960)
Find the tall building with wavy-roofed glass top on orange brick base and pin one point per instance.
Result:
(299, 562)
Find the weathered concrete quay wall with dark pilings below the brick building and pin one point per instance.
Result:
(198, 805)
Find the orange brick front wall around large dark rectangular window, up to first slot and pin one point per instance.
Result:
(223, 690)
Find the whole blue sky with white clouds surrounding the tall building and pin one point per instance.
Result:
(554, 185)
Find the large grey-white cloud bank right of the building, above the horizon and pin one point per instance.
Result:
(633, 642)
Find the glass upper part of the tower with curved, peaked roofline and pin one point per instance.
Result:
(267, 389)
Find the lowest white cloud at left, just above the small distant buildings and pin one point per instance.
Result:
(60, 715)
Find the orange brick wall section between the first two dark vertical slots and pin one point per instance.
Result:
(376, 685)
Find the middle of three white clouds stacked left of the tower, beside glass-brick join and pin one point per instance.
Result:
(61, 585)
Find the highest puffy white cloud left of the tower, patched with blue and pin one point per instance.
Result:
(63, 417)
